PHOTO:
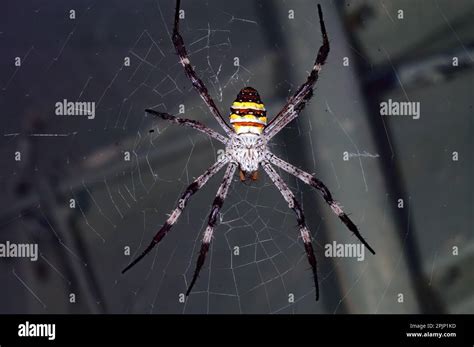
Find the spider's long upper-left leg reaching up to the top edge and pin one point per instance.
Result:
(191, 74)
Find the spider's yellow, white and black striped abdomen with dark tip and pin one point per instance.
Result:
(248, 114)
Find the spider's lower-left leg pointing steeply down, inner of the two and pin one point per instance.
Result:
(216, 206)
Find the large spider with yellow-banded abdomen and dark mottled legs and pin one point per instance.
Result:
(246, 150)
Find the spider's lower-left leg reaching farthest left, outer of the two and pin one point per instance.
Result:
(197, 184)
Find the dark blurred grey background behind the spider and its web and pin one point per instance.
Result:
(425, 248)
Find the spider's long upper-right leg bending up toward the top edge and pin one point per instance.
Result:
(304, 93)
